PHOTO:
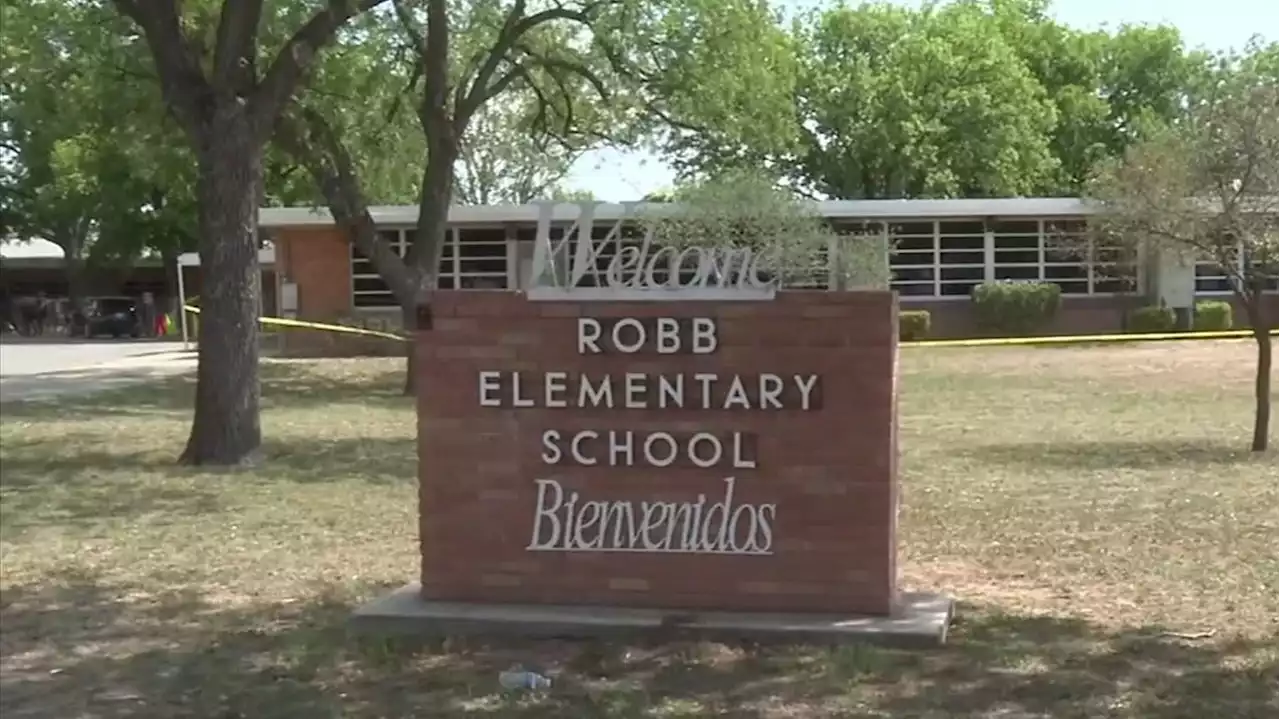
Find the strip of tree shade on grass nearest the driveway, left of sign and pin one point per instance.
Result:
(285, 386)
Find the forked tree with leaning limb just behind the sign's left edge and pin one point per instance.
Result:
(546, 59)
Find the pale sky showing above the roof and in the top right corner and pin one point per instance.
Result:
(1214, 25)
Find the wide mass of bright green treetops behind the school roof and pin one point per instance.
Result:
(971, 99)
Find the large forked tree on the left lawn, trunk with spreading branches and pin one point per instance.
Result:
(207, 58)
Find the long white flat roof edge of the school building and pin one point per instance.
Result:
(391, 216)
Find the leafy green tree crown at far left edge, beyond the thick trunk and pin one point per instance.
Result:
(85, 135)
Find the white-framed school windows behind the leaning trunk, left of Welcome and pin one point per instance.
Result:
(472, 259)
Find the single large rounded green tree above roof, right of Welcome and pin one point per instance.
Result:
(921, 104)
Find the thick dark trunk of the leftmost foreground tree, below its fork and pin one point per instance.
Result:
(227, 431)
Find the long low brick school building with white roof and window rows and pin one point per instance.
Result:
(941, 250)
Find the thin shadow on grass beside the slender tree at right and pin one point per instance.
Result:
(1116, 455)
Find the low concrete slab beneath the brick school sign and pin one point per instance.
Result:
(921, 622)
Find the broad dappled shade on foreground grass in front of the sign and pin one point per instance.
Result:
(175, 654)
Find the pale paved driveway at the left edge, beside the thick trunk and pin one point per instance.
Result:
(42, 370)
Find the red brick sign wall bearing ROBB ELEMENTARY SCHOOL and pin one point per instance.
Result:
(830, 471)
